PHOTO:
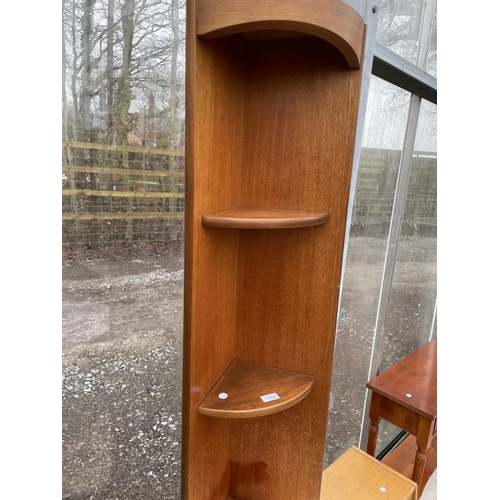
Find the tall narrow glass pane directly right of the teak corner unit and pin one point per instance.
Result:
(380, 157)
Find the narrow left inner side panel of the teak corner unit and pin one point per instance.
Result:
(213, 178)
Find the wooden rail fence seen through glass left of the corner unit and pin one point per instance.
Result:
(104, 202)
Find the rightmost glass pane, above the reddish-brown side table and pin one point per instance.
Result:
(412, 300)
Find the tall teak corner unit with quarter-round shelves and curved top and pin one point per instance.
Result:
(272, 101)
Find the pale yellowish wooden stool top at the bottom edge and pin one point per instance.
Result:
(355, 475)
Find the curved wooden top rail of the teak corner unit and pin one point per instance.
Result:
(331, 20)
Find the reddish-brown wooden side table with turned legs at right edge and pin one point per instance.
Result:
(406, 395)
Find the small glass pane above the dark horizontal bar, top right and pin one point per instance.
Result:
(399, 27)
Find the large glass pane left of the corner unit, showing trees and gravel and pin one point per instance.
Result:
(122, 233)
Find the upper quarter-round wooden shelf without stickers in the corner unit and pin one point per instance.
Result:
(261, 218)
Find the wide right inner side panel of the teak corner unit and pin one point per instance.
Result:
(300, 122)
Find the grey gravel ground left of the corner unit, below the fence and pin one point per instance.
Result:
(121, 381)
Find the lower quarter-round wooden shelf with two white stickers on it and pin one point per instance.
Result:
(248, 390)
